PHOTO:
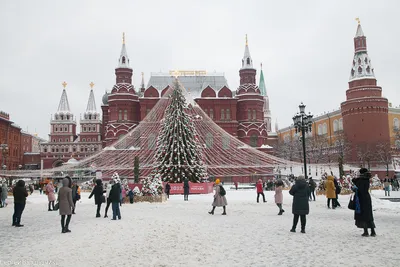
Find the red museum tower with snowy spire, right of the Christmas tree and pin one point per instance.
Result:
(252, 129)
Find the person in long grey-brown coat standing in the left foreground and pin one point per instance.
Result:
(66, 205)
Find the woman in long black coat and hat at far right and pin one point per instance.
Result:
(363, 216)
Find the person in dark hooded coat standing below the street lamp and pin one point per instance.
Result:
(300, 206)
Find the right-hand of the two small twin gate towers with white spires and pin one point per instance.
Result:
(90, 126)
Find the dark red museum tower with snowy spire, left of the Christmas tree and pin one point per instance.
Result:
(121, 108)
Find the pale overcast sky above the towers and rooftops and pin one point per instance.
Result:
(306, 48)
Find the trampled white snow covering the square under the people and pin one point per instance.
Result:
(179, 233)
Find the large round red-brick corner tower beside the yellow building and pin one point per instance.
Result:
(365, 111)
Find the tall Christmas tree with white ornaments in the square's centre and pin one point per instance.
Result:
(178, 154)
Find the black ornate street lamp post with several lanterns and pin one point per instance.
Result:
(303, 123)
